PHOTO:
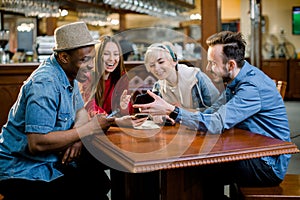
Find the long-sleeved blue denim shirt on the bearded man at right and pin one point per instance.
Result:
(250, 102)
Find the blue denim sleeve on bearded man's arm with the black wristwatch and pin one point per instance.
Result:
(240, 105)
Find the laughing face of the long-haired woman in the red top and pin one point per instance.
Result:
(111, 57)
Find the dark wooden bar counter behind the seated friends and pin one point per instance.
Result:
(12, 76)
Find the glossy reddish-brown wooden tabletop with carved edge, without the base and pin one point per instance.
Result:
(171, 147)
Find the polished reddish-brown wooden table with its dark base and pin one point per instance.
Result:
(160, 163)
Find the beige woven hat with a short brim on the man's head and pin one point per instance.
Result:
(71, 36)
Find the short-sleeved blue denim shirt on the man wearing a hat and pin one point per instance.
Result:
(47, 102)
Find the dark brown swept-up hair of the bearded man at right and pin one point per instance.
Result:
(233, 45)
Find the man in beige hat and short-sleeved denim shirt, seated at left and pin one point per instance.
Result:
(41, 153)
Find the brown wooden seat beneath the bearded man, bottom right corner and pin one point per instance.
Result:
(288, 189)
